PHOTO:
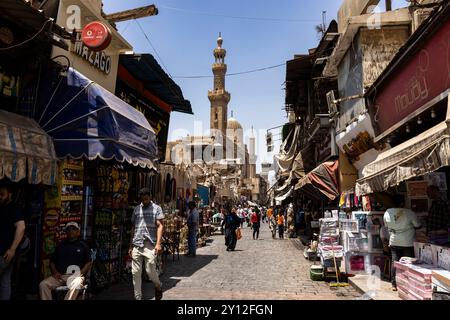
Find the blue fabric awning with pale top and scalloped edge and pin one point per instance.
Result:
(86, 120)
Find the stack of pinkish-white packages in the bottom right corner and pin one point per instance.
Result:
(414, 281)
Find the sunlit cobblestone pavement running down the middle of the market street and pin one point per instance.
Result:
(264, 269)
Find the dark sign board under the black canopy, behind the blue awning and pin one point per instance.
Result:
(158, 118)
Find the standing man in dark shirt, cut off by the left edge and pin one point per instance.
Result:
(12, 229)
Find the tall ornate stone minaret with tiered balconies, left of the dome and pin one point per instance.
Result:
(219, 97)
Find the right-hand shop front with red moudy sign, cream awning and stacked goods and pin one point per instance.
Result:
(410, 110)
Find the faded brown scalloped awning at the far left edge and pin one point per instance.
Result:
(26, 151)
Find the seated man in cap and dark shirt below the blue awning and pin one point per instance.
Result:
(71, 259)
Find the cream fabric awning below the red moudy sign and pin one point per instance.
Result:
(424, 153)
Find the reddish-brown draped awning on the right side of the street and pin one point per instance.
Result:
(323, 178)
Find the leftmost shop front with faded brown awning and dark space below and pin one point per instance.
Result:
(28, 164)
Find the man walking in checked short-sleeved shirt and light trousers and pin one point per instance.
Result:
(146, 235)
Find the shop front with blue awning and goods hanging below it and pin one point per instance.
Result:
(107, 152)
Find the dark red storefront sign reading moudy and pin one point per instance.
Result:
(424, 77)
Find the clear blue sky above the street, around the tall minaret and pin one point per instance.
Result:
(184, 33)
